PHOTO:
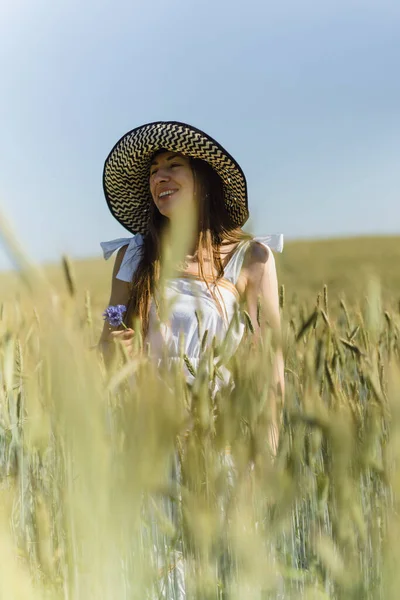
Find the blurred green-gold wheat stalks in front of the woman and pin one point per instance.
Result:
(128, 485)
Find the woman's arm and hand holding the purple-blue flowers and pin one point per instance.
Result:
(120, 294)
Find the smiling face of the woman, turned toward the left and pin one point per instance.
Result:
(171, 182)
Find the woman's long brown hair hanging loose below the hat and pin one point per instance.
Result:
(215, 228)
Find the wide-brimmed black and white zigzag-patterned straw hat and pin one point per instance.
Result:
(127, 168)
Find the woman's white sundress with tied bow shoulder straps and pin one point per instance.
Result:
(194, 309)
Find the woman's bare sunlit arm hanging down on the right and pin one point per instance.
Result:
(262, 283)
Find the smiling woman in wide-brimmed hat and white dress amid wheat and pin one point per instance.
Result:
(157, 178)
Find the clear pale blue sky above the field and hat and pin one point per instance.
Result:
(305, 95)
